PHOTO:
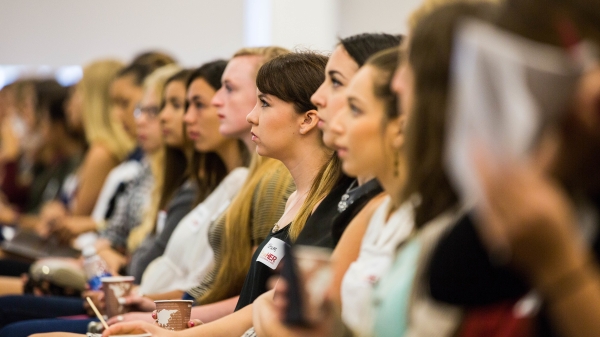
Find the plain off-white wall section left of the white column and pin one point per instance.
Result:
(63, 32)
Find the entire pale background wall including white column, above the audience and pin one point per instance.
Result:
(52, 39)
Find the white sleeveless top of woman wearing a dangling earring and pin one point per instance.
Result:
(377, 253)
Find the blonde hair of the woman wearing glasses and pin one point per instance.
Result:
(154, 82)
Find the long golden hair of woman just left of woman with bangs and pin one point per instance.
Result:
(236, 244)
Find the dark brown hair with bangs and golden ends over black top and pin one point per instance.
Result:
(294, 78)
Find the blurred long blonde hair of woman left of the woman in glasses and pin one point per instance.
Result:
(99, 125)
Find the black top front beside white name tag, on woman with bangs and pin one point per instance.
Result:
(258, 275)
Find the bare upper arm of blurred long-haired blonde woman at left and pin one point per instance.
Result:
(97, 164)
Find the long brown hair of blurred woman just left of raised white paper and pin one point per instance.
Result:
(429, 56)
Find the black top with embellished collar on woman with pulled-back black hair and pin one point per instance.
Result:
(355, 200)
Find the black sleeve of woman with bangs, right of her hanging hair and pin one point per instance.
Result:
(319, 226)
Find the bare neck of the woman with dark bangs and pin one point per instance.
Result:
(305, 165)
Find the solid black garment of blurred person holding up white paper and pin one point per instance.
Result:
(462, 273)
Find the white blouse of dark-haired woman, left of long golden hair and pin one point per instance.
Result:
(188, 255)
